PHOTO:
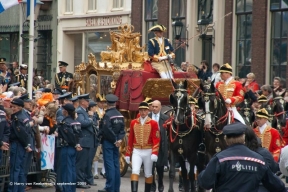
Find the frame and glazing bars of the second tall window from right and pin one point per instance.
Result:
(239, 39)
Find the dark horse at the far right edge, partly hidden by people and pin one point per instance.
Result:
(276, 109)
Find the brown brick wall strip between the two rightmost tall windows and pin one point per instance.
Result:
(258, 50)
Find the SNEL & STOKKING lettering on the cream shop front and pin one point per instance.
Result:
(103, 21)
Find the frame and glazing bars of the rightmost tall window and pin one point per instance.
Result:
(279, 38)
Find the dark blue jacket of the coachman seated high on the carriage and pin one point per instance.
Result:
(154, 47)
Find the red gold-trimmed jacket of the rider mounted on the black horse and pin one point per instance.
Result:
(233, 90)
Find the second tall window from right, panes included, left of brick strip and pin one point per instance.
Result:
(243, 38)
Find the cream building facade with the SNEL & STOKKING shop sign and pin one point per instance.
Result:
(83, 27)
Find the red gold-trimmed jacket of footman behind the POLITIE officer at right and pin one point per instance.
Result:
(271, 140)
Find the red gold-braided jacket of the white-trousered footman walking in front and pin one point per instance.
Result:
(146, 136)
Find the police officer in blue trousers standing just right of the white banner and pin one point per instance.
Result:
(69, 133)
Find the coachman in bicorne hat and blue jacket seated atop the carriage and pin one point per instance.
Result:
(159, 51)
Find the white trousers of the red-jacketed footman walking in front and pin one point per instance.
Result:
(140, 156)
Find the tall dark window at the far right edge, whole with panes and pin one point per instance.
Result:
(279, 24)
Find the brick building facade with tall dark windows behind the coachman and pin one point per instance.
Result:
(249, 35)
